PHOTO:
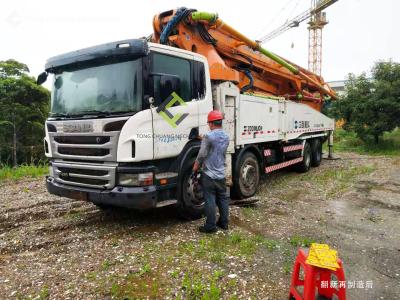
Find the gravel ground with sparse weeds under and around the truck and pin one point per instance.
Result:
(57, 248)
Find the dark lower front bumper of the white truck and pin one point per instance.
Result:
(129, 197)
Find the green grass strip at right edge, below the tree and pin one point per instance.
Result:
(345, 141)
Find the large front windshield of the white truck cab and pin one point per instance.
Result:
(105, 89)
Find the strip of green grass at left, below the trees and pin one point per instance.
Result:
(10, 173)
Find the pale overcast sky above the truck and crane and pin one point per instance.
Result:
(359, 33)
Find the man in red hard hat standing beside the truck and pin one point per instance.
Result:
(211, 159)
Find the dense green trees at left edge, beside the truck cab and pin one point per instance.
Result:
(23, 107)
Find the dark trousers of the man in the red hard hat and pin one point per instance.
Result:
(214, 191)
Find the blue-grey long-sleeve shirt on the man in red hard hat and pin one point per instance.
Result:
(212, 153)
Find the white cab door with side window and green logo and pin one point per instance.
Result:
(175, 112)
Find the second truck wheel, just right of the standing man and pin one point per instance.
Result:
(246, 176)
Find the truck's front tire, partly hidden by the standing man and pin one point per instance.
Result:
(189, 206)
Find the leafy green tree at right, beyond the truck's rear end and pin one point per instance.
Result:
(371, 107)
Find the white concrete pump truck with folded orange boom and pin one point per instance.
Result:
(126, 116)
